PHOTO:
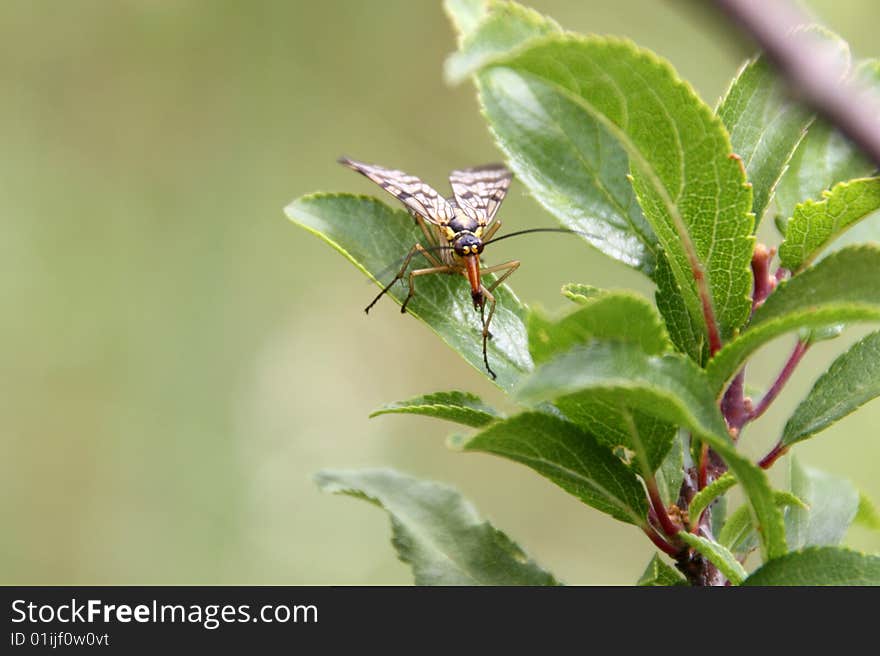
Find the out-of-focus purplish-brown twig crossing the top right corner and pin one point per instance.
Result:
(813, 71)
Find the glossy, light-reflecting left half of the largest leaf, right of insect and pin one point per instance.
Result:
(573, 166)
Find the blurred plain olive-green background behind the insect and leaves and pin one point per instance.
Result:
(178, 359)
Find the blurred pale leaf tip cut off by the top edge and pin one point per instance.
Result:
(506, 27)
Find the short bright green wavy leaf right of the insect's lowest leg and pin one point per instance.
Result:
(621, 316)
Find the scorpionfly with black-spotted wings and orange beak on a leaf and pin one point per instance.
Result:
(460, 227)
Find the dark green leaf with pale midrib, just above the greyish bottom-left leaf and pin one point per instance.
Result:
(570, 457)
